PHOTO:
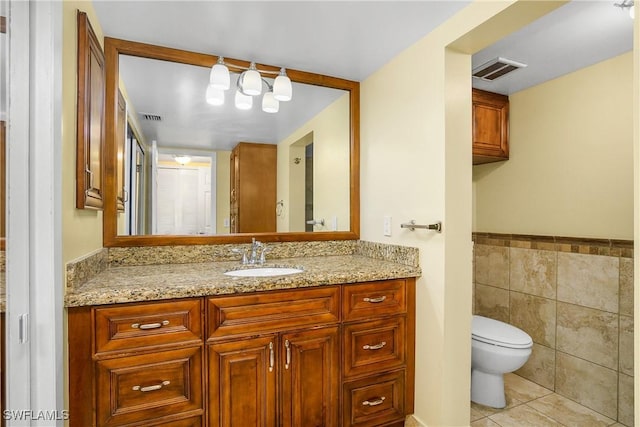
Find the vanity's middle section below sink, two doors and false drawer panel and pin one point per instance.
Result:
(289, 374)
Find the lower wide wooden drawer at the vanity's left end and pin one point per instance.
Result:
(147, 387)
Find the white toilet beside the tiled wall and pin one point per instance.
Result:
(497, 348)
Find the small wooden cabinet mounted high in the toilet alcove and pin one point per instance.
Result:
(490, 127)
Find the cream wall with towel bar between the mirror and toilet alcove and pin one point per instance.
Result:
(416, 164)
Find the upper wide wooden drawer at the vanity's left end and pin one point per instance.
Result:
(146, 325)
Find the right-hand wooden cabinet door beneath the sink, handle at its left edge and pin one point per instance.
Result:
(310, 378)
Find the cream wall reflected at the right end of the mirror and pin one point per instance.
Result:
(330, 130)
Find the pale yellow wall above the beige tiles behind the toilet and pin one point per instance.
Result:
(570, 171)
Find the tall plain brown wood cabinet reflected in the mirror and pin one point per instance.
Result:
(253, 188)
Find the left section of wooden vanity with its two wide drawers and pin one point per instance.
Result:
(137, 364)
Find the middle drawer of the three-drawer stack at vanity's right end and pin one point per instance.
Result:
(374, 346)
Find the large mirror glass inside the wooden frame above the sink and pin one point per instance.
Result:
(185, 167)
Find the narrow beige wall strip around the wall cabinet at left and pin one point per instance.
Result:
(81, 229)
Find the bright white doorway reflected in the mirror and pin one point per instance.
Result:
(185, 196)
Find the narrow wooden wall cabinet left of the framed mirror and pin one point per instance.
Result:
(90, 132)
